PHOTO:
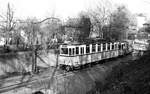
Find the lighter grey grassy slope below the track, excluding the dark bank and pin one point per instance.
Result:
(83, 81)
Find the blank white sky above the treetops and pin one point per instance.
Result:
(65, 8)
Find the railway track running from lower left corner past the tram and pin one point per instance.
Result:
(13, 83)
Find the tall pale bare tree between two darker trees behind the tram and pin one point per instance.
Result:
(100, 16)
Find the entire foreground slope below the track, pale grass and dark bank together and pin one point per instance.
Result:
(118, 76)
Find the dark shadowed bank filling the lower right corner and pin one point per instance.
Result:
(128, 78)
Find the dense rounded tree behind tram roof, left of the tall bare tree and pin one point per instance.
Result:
(78, 29)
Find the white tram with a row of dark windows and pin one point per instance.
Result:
(74, 55)
